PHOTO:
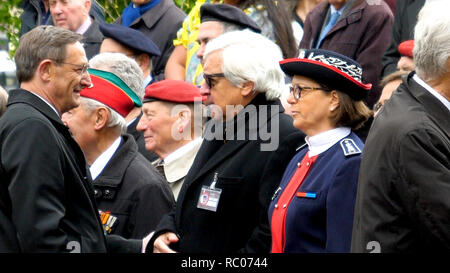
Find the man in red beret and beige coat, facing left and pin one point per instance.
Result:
(170, 129)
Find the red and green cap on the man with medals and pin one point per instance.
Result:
(110, 90)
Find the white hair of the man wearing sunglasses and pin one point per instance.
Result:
(248, 56)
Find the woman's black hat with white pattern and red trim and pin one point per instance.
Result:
(329, 68)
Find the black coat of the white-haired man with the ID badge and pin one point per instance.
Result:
(247, 177)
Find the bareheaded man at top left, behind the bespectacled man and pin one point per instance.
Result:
(74, 15)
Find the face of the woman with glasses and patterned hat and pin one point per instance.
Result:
(311, 112)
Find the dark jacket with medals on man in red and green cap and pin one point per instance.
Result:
(133, 191)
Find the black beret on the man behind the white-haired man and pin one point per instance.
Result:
(229, 14)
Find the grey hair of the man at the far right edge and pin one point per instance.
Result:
(432, 40)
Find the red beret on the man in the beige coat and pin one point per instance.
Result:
(173, 91)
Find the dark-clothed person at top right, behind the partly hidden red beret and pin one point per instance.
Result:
(405, 18)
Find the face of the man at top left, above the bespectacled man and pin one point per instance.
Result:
(69, 14)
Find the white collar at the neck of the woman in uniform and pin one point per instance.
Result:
(321, 142)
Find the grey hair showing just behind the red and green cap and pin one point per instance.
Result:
(125, 68)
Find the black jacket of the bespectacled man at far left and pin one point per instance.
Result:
(46, 193)
